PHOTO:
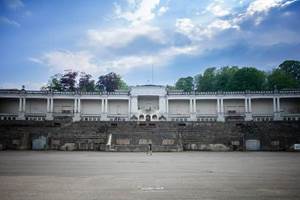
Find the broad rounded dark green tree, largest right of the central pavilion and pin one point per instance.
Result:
(248, 78)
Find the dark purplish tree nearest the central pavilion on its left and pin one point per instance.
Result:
(109, 82)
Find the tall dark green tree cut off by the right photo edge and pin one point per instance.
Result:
(292, 68)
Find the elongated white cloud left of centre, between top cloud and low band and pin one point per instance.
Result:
(120, 37)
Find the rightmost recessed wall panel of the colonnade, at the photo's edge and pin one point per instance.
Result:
(290, 106)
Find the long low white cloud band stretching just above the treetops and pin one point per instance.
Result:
(58, 61)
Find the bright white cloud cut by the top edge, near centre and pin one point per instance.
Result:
(143, 11)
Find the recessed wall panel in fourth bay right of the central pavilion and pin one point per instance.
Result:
(262, 106)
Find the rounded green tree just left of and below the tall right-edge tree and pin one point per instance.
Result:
(278, 79)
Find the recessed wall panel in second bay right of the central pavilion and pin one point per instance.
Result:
(206, 107)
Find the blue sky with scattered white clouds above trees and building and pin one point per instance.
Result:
(178, 38)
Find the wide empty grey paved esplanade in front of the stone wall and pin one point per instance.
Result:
(186, 175)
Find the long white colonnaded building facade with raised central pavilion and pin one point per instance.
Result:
(150, 103)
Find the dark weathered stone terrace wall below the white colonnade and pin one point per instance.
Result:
(136, 136)
